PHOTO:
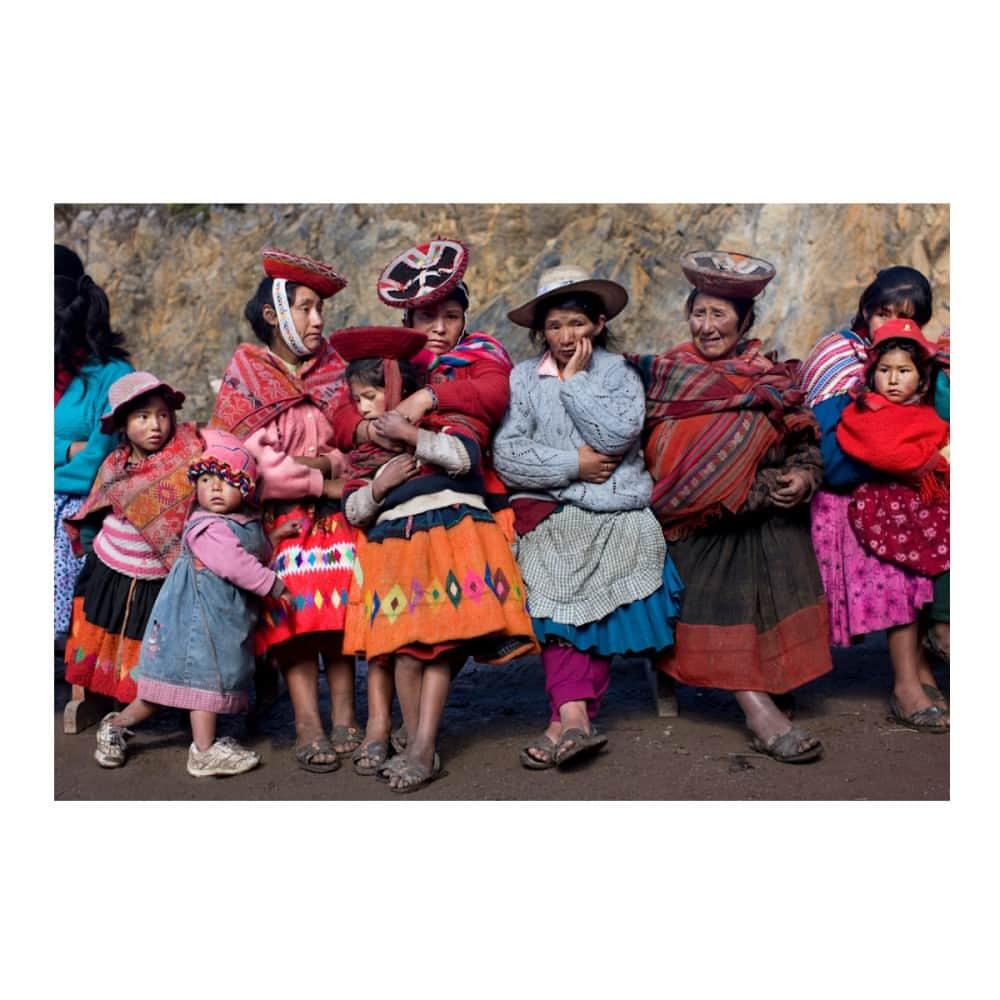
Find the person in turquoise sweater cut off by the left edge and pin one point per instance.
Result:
(89, 357)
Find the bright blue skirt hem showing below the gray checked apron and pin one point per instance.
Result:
(646, 625)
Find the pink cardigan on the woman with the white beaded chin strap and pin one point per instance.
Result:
(299, 430)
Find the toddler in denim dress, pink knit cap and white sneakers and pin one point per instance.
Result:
(197, 652)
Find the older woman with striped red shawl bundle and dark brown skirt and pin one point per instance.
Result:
(736, 460)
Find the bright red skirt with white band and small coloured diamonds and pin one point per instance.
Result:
(317, 566)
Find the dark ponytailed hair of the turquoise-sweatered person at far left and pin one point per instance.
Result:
(82, 314)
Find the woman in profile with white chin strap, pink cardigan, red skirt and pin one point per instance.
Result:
(281, 396)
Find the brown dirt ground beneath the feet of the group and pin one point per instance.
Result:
(701, 754)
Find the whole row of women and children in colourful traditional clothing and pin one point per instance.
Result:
(407, 496)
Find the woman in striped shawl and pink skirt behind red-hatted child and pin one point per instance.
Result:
(868, 594)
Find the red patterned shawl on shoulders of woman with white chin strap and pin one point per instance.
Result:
(257, 387)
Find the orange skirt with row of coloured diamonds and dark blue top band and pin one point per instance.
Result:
(441, 580)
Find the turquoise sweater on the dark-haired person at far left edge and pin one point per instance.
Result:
(78, 418)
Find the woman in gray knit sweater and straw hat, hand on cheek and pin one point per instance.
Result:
(592, 555)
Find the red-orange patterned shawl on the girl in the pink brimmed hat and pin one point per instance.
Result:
(153, 495)
